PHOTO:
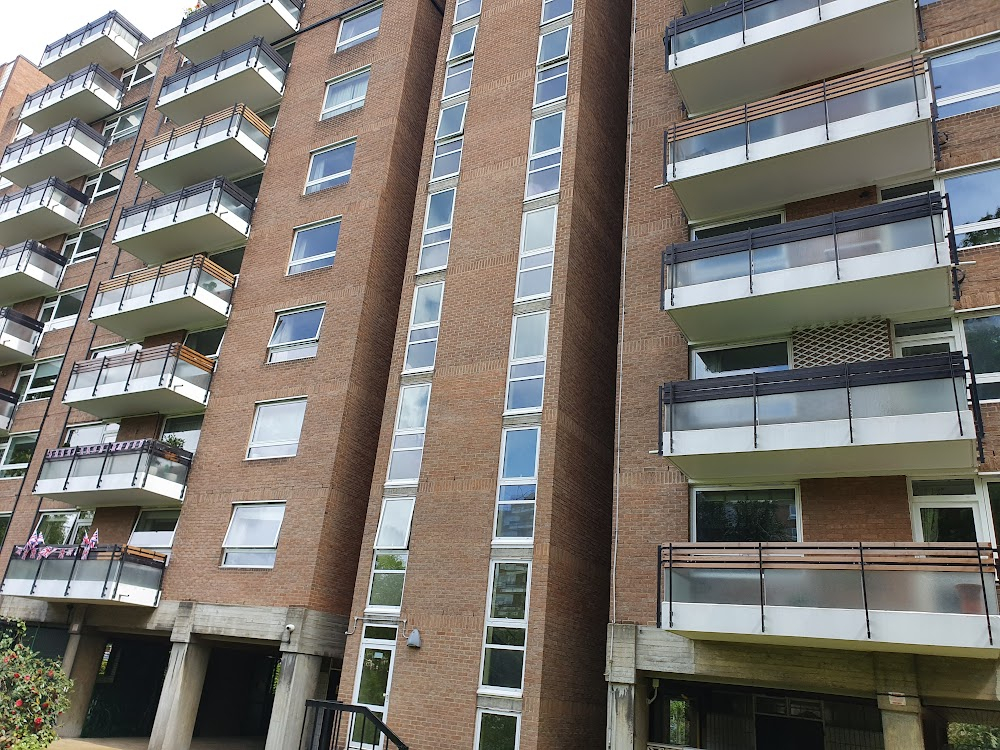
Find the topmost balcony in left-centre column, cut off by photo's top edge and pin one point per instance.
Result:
(226, 24)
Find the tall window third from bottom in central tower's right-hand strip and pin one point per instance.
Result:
(517, 485)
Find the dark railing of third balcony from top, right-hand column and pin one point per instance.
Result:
(931, 206)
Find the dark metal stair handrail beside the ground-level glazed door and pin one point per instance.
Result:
(332, 725)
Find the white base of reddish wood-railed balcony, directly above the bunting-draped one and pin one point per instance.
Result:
(111, 401)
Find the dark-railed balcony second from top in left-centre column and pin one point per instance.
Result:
(253, 74)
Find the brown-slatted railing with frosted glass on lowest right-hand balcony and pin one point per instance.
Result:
(839, 575)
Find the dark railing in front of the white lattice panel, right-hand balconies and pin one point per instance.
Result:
(847, 377)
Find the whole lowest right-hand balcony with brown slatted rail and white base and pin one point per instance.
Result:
(905, 598)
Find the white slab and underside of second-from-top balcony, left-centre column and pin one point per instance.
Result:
(253, 87)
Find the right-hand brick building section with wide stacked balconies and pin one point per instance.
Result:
(806, 496)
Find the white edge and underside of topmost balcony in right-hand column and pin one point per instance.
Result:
(727, 72)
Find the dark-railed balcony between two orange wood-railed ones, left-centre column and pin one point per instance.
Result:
(202, 218)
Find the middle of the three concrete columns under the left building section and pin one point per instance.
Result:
(178, 707)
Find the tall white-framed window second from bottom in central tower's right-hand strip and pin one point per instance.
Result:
(506, 627)
